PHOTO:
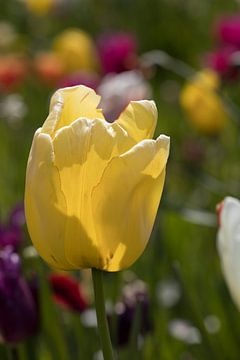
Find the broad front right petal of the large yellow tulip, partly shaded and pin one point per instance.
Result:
(125, 202)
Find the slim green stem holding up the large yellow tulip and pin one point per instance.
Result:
(101, 315)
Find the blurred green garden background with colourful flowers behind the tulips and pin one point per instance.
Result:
(173, 303)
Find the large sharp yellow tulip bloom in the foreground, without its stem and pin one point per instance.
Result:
(93, 187)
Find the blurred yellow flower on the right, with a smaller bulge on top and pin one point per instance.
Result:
(202, 104)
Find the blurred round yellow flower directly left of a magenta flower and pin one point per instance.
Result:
(76, 50)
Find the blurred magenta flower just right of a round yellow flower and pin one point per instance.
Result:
(117, 52)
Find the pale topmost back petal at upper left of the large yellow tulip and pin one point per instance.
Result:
(69, 104)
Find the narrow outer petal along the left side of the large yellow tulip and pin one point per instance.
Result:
(45, 203)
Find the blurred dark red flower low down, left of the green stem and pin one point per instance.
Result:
(67, 292)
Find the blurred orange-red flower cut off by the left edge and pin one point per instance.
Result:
(13, 70)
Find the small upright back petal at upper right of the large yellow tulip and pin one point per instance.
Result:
(139, 119)
